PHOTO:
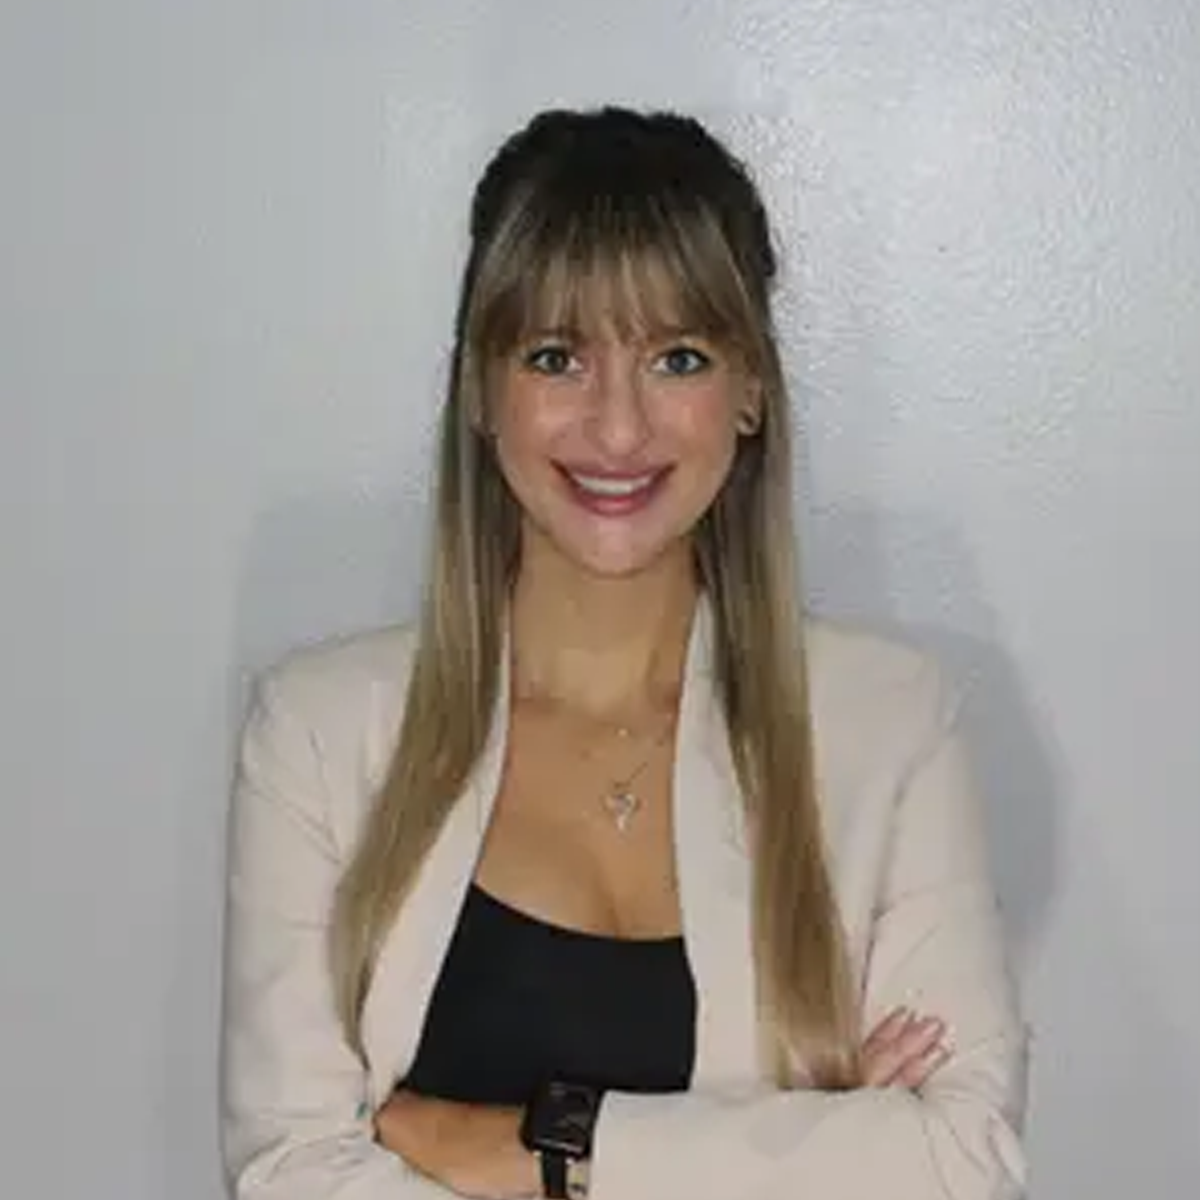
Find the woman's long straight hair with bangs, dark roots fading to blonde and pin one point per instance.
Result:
(621, 201)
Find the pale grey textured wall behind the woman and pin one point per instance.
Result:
(229, 236)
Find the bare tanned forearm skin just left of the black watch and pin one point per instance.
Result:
(472, 1149)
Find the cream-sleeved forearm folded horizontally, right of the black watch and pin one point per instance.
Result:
(959, 1141)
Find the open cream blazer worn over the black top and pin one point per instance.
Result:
(909, 867)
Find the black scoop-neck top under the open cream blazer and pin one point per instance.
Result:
(520, 1000)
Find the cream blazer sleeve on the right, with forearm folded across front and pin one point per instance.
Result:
(937, 946)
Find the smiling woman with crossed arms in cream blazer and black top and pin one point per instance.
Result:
(595, 883)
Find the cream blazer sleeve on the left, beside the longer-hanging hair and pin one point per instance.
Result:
(296, 1123)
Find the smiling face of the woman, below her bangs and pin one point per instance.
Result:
(615, 447)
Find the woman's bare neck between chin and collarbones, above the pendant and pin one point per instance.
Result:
(607, 649)
